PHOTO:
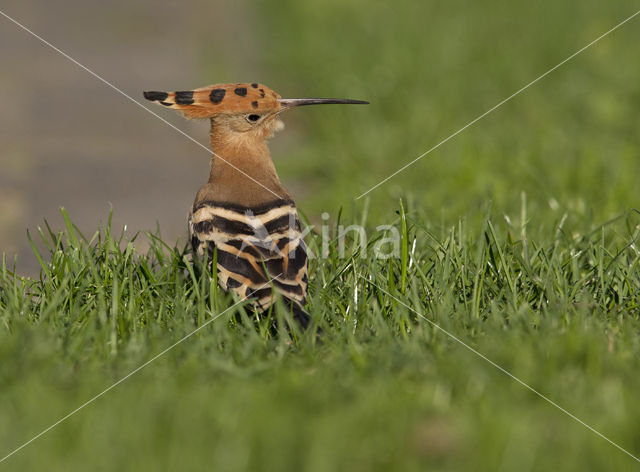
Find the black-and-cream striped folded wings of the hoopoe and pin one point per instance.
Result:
(256, 248)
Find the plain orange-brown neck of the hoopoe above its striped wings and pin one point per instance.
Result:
(242, 171)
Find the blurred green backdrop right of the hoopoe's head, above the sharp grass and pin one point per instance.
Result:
(570, 141)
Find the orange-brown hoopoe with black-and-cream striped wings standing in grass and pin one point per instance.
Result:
(243, 218)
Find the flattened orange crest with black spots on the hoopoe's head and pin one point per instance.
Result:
(206, 102)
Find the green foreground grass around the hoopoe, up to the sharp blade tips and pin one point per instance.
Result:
(381, 389)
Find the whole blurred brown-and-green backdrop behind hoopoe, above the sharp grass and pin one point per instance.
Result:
(429, 68)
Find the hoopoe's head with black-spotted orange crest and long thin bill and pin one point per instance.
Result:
(237, 111)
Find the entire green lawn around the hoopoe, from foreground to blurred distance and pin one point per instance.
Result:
(525, 229)
